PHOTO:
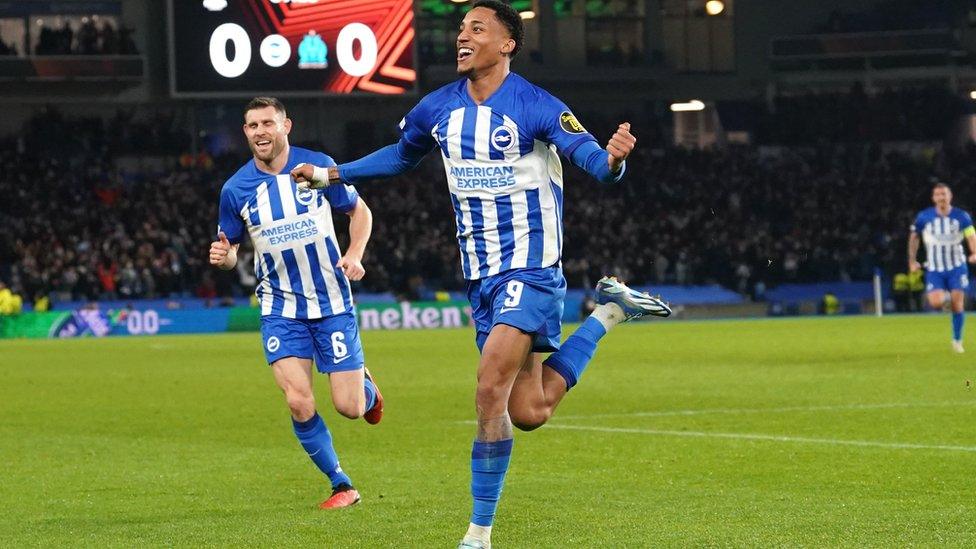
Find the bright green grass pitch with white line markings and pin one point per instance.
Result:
(808, 432)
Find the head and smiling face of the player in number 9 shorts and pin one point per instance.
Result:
(483, 42)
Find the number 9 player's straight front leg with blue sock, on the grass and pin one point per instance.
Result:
(502, 356)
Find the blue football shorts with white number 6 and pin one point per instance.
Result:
(332, 342)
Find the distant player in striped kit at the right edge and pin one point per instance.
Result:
(942, 229)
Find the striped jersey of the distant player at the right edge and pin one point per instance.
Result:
(943, 236)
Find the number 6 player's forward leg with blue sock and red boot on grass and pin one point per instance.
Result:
(294, 376)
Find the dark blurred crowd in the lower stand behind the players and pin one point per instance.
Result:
(78, 227)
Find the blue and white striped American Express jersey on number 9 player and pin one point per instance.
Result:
(503, 170)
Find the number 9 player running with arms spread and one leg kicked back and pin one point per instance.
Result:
(500, 139)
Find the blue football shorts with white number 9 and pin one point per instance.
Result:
(528, 299)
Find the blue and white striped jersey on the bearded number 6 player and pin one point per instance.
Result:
(295, 246)
